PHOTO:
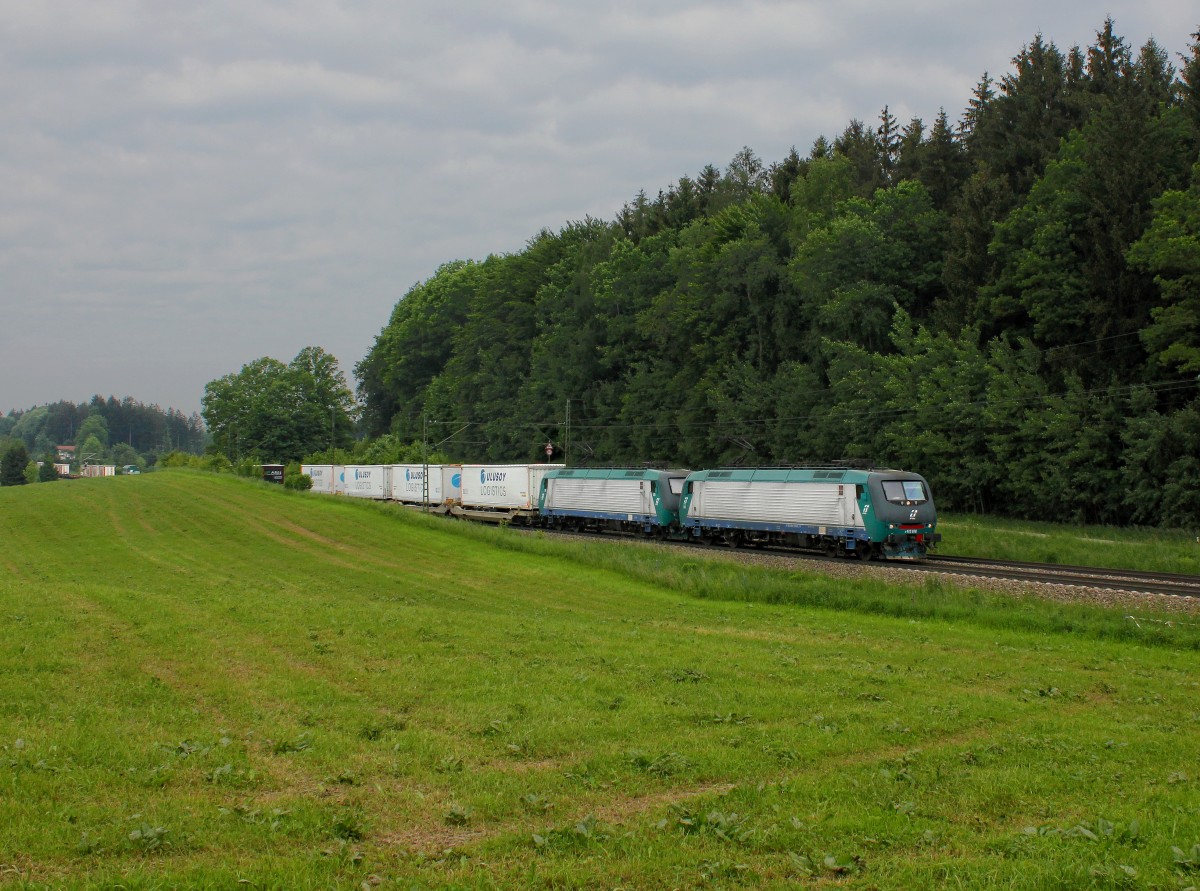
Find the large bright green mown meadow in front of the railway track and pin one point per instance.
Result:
(207, 683)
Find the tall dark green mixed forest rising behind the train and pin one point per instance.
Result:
(1009, 303)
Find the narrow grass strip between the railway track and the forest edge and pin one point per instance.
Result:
(1149, 551)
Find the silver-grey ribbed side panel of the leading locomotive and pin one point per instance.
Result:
(775, 503)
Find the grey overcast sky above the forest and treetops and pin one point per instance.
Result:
(187, 187)
